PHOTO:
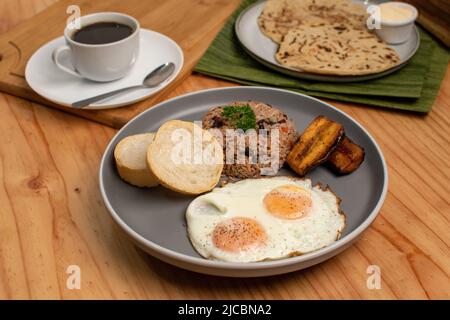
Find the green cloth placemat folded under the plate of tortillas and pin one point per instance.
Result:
(414, 87)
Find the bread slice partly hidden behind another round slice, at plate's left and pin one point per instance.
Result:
(131, 160)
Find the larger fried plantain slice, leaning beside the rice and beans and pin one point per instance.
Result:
(315, 145)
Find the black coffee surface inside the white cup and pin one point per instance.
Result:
(102, 32)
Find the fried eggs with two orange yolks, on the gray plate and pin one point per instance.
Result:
(264, 219)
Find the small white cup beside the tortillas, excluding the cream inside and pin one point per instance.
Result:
(396, 32)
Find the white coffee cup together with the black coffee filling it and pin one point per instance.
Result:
(104, 49)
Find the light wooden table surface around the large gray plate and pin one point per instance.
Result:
(52, 215)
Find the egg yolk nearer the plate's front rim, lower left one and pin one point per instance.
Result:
(238, 234)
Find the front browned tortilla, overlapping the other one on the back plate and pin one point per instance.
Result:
(335, 49)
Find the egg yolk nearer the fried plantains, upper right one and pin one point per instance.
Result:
(288, 202)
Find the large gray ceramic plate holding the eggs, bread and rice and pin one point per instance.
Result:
(154, 218)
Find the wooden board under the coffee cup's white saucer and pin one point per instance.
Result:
(193, 24)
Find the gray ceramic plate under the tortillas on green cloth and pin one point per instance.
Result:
(263, 49)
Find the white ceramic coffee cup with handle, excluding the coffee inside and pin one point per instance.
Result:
(100, 62)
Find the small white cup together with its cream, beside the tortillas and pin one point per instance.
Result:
(396, 21)
